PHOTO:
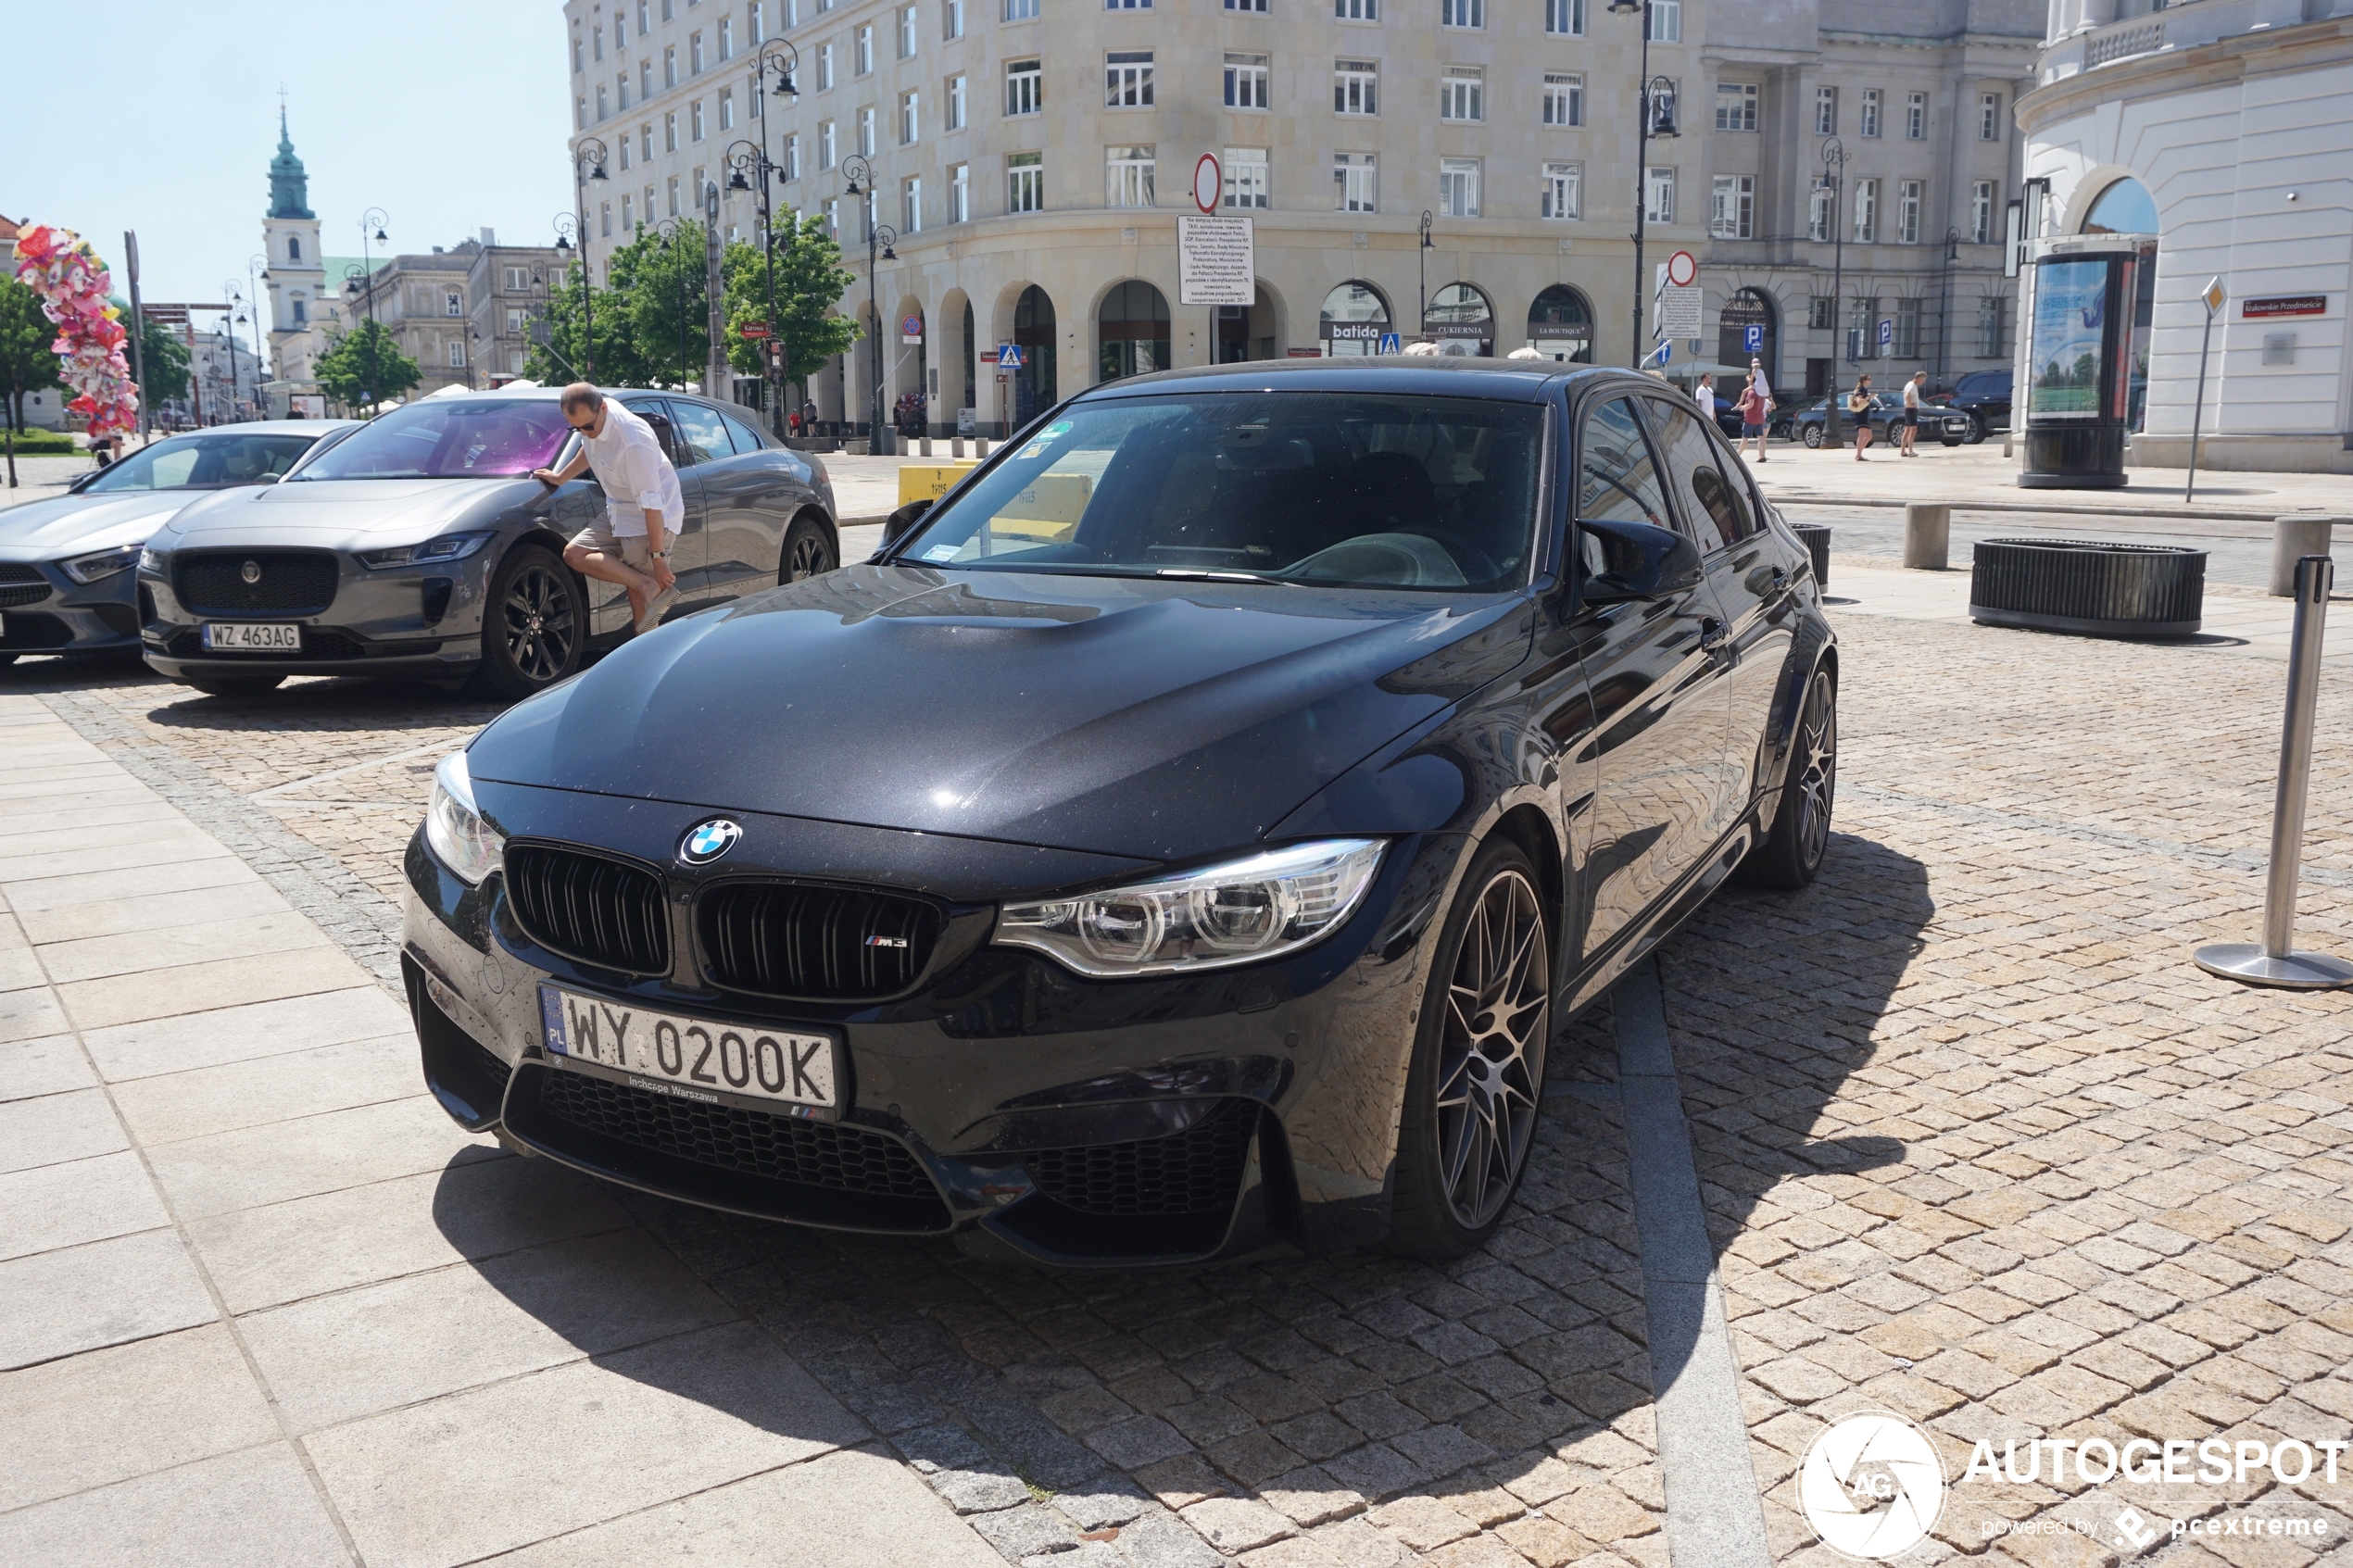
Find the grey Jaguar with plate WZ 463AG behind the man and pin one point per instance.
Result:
(425, 549)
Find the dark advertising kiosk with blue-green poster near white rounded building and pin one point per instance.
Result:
(2086, 359)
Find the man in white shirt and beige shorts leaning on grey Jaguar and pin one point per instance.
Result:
(644, 504)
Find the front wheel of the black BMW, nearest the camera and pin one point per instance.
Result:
(1472, 1097)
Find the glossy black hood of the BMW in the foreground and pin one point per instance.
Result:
(1135, 718)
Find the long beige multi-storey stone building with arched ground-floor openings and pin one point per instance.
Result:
(1034, 159)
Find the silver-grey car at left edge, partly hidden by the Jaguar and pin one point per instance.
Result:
(67, 579)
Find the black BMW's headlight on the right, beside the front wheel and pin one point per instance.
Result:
(1215, 918)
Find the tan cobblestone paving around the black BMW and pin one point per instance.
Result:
(1978, 1144)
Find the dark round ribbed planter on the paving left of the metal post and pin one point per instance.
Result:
(2088, 587)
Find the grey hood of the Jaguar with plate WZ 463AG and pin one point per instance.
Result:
(349, 514)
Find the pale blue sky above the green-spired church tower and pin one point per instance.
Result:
(451, 116)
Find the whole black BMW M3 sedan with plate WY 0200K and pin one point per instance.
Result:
(1178, 843)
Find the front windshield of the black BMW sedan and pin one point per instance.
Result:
(1331, 490)
